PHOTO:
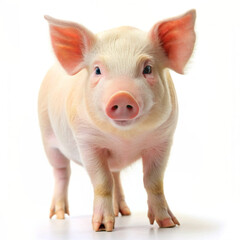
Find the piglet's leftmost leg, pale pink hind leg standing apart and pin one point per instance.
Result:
(62, 171)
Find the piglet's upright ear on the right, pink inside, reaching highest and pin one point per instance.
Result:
(176, 37)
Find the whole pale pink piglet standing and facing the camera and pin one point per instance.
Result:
(79, 119)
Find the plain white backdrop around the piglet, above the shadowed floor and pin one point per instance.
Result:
(203, 176)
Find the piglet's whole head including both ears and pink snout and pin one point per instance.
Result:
(126, 89)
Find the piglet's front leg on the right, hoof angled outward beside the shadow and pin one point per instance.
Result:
(154, 164)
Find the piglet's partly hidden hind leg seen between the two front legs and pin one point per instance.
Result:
(119, 202)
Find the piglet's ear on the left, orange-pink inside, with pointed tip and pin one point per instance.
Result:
(70, 42)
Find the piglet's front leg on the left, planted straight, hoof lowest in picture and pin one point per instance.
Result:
(96, 165)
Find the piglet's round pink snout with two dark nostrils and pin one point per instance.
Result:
(122, 106)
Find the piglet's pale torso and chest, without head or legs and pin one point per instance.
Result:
(58, 96)
